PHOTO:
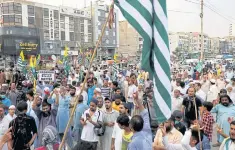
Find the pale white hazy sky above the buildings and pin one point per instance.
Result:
(183, 15)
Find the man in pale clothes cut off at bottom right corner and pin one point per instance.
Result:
(229, 143)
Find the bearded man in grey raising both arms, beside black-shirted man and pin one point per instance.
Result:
(46, 116)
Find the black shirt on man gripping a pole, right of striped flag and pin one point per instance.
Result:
(190, 108)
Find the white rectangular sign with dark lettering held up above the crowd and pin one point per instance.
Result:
(46, 75)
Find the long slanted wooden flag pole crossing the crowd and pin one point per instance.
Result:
(85, 80)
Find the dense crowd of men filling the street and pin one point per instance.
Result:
(117, 113)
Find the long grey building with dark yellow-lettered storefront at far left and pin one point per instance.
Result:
(42, 29)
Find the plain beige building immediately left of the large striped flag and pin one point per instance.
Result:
(131, 43)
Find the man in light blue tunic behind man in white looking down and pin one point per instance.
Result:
(77, 130)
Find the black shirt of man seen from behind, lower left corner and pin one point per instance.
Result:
(23, 128)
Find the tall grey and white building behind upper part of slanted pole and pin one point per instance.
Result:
(110, 40)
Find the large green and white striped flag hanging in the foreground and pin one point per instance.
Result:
(149, 18)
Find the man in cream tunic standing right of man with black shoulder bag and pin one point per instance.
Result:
(110, 116)
